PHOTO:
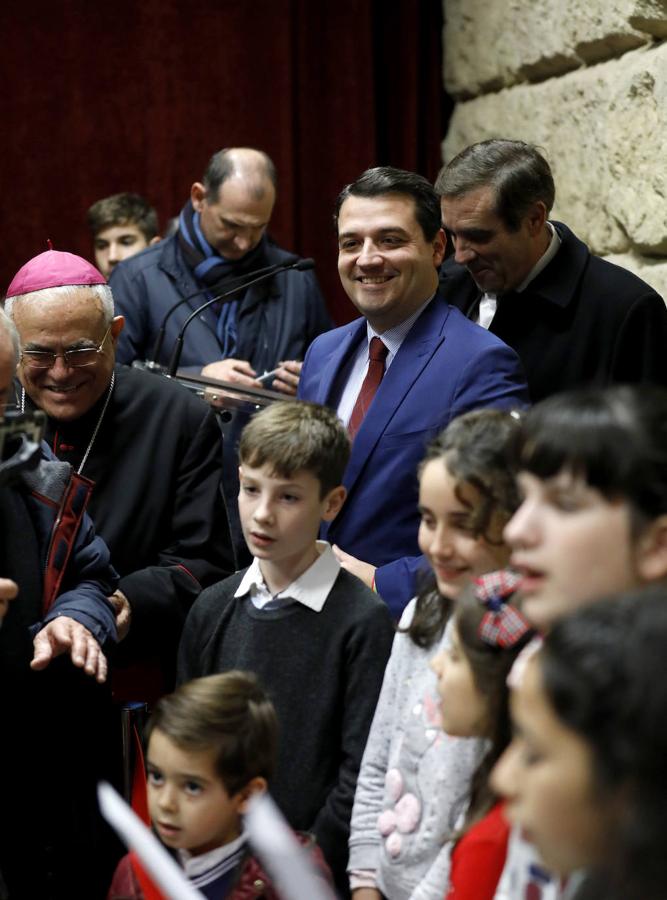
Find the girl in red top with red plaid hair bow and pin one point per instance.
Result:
(486, 637)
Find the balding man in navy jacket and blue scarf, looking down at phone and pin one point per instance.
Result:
(222, 242)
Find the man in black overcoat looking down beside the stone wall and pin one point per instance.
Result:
(573, 318)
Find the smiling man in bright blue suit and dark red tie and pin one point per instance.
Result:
(438, 365)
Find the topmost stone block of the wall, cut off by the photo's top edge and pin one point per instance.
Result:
(488, 46)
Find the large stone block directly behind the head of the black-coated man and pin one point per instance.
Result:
(603, 130)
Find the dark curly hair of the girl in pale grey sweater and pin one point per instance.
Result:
(475, 449)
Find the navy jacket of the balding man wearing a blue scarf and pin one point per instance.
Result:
(277, 319)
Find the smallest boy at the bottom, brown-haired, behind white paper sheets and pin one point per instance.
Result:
(210, 746)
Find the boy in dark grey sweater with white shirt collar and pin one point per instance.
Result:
(317, 637)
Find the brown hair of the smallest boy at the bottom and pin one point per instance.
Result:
(228, 713)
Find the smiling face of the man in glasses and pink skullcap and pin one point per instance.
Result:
(57, 324)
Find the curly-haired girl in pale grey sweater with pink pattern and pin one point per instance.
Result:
(413, 780)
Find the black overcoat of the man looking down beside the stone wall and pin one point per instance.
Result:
(581, 321)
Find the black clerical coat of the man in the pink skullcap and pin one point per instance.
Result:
(156, 465)
